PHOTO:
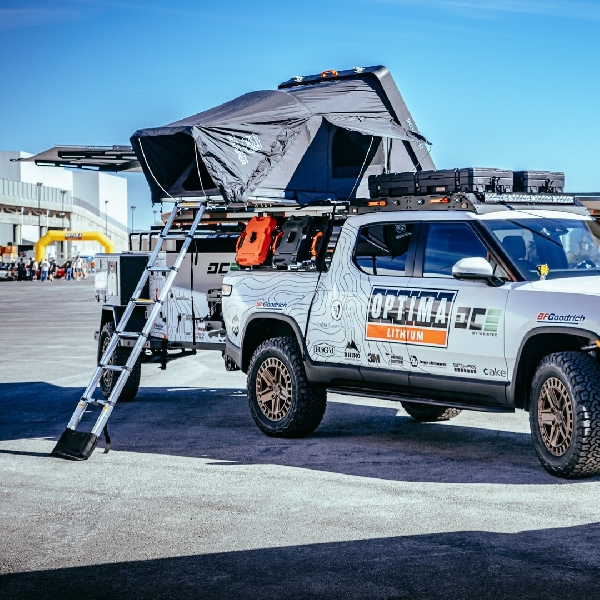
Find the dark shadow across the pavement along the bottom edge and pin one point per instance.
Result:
(550, 564)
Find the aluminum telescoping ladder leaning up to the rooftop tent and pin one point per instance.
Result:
(77, 445)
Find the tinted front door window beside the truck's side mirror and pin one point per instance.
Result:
(446, 244)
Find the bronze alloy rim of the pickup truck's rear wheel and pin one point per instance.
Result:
(274, 389)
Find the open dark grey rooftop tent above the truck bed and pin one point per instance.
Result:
(315, 137)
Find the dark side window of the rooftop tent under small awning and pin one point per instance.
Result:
(348, 152)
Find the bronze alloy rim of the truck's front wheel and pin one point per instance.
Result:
(555, 416)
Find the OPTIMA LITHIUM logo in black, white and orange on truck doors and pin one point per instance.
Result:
(420, 317)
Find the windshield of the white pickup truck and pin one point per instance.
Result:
(569, 248)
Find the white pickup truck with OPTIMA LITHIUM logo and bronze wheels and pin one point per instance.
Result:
(480, 302)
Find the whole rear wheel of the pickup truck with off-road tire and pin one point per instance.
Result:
(296, 406)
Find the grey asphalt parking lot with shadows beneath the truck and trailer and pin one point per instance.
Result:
(193, 501)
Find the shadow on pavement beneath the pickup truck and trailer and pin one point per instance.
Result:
(216, 424)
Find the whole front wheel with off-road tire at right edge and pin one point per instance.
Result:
(575, 428)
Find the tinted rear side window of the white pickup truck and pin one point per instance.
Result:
(382, 249)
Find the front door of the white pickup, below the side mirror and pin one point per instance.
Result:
(460, 328)
